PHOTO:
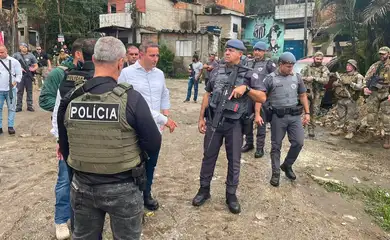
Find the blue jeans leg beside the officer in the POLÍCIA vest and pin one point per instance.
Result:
(62, 190)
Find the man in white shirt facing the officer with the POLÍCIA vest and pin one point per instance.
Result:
(150, 82)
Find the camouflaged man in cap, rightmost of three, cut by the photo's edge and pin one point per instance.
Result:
(378, 102)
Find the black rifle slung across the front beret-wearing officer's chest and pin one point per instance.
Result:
(222, 99)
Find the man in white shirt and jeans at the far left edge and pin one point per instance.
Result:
(10, 74)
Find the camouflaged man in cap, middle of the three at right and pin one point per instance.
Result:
(347, 90)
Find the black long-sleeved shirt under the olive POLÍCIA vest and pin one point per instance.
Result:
(138, 116)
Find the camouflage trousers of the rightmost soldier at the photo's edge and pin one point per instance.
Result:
(378, 111)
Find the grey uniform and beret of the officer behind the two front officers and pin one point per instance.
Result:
(261, 68)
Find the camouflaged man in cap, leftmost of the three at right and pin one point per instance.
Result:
(315, 76)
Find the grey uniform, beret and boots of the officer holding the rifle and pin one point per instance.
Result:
(230, 129)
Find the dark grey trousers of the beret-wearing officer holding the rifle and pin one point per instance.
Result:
(231, 131)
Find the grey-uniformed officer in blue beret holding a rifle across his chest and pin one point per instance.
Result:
(227, 111)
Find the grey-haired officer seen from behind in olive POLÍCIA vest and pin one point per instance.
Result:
(104, 128)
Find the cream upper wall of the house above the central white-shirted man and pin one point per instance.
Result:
(164, 14)
